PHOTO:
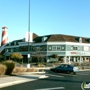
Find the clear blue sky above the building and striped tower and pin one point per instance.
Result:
(71, 17)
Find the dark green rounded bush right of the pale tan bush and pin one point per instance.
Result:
(10, 66)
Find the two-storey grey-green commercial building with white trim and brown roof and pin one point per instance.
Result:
(67, 47)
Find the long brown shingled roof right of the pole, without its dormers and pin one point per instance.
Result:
(61, 38)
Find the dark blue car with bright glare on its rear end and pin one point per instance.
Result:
(66, 68)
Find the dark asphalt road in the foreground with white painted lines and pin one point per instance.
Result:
(55, 81)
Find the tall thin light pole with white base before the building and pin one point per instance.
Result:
(28, 65)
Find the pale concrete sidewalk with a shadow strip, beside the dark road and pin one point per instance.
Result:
(13, 80)
